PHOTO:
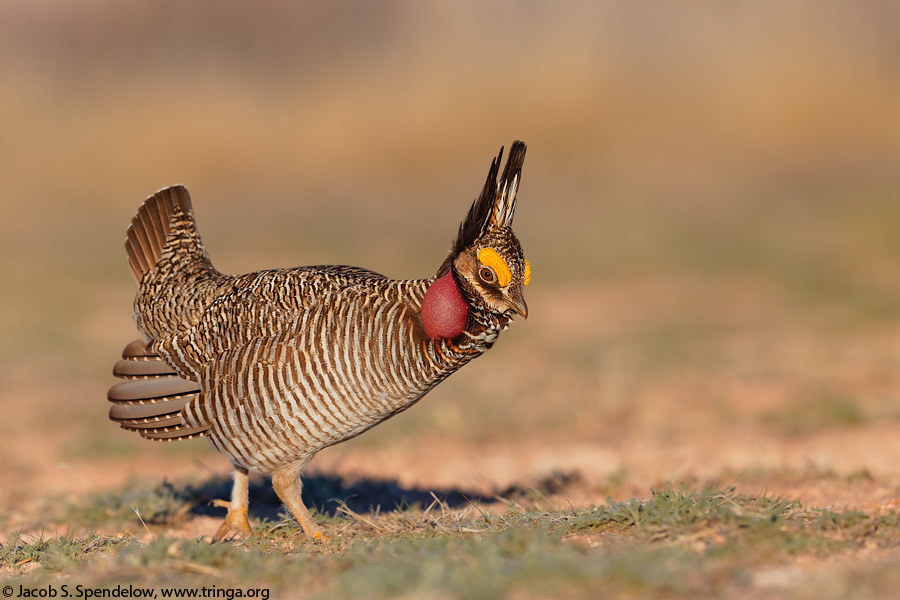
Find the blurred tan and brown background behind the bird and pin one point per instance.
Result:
(710, 205)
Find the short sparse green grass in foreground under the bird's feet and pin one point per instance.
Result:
(679, 541)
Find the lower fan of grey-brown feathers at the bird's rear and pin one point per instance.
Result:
(150, 399)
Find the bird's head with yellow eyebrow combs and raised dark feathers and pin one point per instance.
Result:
(487, 262)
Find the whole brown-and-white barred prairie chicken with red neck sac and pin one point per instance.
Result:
(275, 365)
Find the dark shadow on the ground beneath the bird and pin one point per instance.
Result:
(327, 493)
